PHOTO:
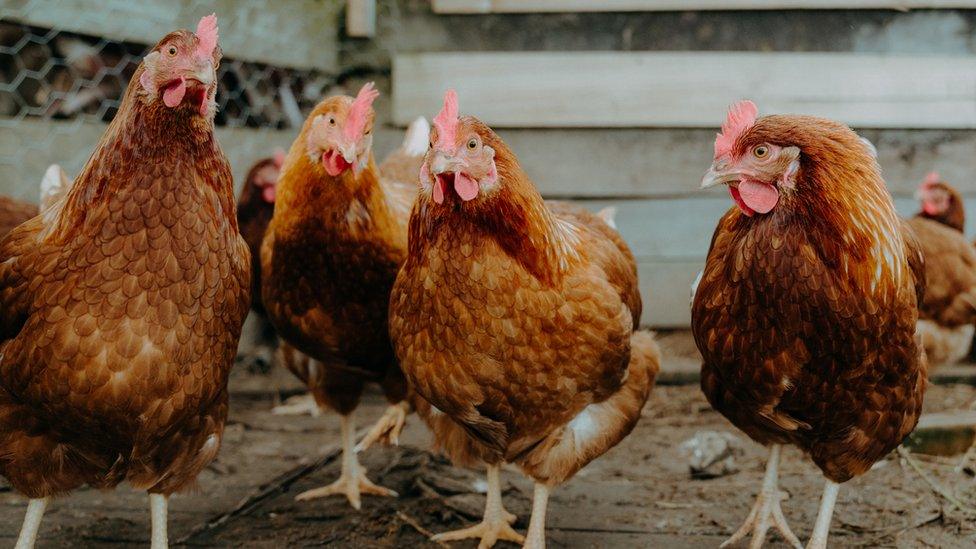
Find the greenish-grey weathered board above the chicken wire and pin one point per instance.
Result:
(303, 35)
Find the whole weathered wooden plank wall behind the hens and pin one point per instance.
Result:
(621, 128)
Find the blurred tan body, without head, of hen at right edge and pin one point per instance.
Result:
(948, 311)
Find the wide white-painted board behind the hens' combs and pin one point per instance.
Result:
(687, 89)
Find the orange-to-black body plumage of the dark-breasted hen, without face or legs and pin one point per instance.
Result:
(329, 258)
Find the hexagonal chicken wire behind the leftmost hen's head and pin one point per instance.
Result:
(61, 87)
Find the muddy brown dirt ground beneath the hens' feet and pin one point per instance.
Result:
(640, 494)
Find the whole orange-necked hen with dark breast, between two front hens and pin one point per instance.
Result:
(329, 258)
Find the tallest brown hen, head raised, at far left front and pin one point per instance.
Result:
(121, 305)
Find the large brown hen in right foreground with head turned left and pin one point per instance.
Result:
(805, 313)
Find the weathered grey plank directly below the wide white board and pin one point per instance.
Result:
(648, 163)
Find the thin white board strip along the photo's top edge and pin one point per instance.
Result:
(541, 6)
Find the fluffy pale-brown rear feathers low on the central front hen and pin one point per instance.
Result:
(600, 426)
